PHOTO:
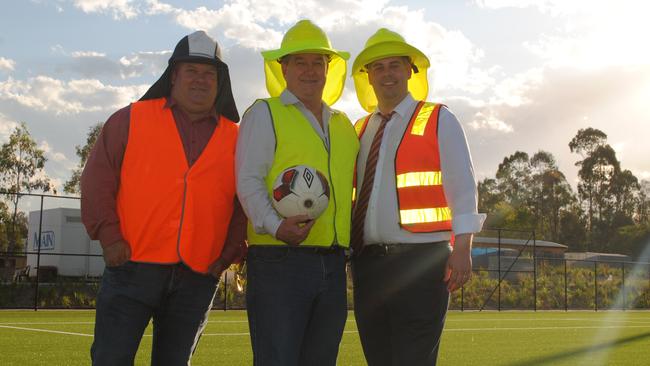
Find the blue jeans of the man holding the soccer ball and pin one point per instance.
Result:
(297, 305)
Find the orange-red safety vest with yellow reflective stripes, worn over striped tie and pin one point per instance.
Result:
(421, 198)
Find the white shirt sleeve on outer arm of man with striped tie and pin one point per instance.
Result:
(458, 177)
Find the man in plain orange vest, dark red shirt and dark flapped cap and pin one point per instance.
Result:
(158, 192)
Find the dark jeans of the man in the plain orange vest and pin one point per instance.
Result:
(130, 295)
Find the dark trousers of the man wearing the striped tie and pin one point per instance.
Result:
(400, 302)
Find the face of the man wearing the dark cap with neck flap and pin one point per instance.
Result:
(194, 88)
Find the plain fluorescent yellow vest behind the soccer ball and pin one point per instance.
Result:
(298, 144)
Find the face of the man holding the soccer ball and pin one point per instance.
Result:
(305, 75)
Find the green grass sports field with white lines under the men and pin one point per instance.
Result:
(470, 338)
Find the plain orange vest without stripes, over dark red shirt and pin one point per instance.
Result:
(169, 212)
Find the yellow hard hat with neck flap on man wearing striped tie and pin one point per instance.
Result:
(386, 43)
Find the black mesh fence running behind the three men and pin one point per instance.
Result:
(60, 268)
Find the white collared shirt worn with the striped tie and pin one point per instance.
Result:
(382, 222)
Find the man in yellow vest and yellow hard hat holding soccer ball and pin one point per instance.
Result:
(296, 288)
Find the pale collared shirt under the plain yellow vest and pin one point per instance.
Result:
(255, 155)
